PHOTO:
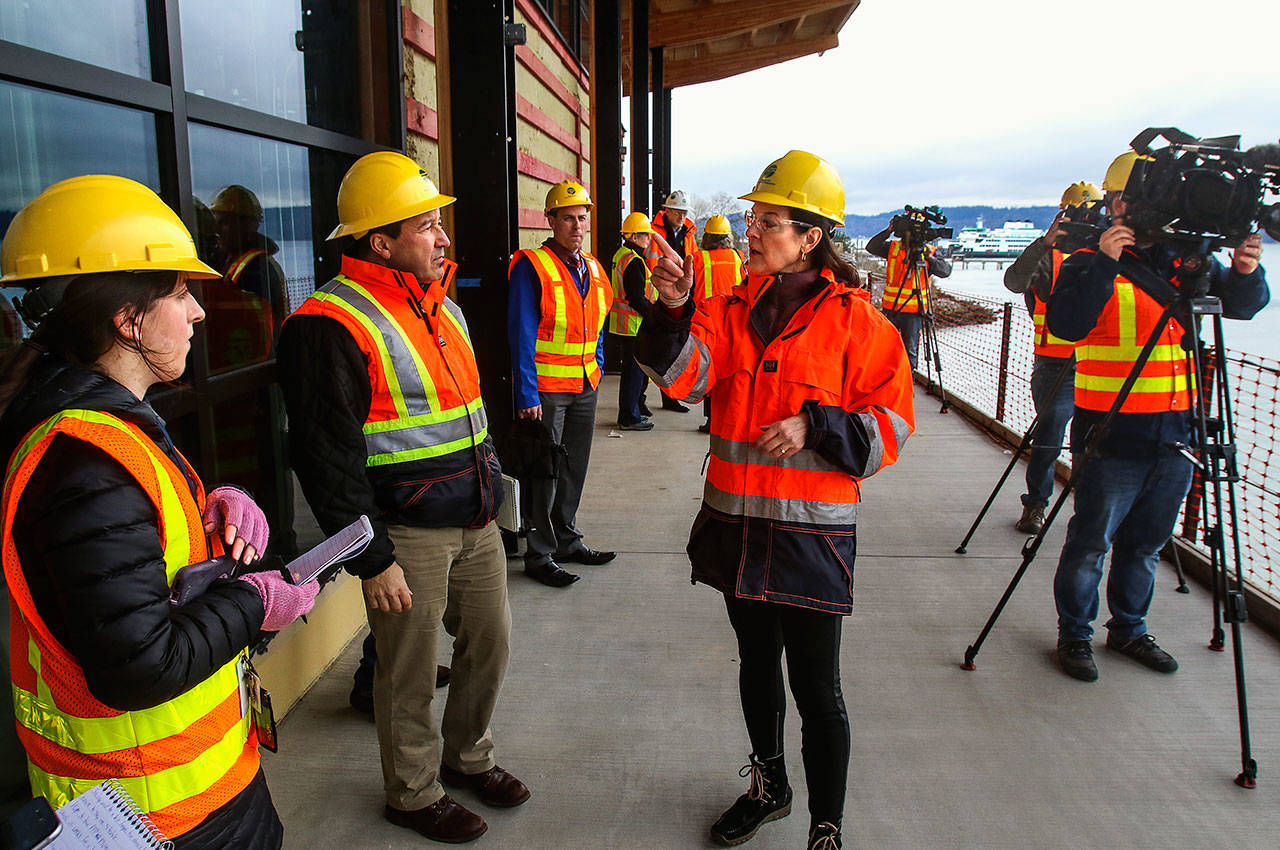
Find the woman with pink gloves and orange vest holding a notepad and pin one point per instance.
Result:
(102, 511)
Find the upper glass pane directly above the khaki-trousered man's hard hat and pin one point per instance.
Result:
(291, 60)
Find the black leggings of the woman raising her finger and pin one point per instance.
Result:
(812, 642)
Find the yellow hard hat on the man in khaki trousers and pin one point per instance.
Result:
(382, 189)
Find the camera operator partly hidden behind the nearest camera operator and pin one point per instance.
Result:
(1034, 275)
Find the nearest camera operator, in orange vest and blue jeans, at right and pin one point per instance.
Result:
(1132, 488)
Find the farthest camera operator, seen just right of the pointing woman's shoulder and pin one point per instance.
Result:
(907, 289)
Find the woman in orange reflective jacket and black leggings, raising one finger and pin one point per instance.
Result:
(811, 392)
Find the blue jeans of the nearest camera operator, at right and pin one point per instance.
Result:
(1128, 505)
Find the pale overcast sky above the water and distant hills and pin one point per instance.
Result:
(986, 102)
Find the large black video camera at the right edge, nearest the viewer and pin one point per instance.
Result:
(1201, 191)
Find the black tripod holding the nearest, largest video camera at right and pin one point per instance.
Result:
(1215, 437)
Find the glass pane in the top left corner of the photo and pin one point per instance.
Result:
(109, 35)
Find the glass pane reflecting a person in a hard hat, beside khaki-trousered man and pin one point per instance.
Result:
(254, 209)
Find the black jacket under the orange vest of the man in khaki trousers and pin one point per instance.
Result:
(324, 377)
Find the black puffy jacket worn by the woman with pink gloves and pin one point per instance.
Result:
(89, 542)
